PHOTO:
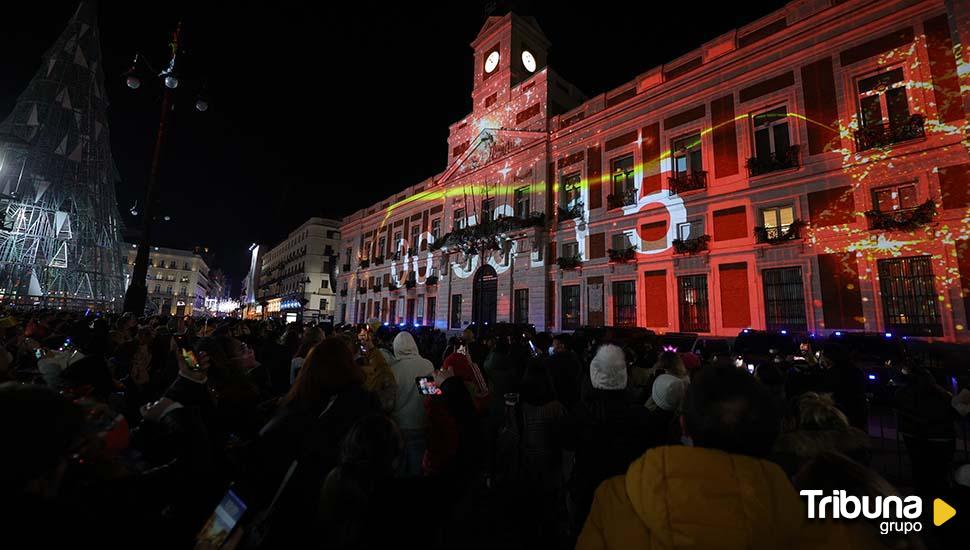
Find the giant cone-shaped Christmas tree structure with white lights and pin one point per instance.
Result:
(60, 239)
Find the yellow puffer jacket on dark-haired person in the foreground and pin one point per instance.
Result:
(691, 497)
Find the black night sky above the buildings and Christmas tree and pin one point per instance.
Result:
(319, 110)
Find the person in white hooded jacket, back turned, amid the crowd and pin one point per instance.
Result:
(409, 407)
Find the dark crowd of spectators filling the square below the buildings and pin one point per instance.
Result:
(126, 431)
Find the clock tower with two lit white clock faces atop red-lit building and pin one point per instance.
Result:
(508, 50)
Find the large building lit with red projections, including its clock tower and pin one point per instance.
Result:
(806, 172)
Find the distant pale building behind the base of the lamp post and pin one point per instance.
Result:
(178, 280)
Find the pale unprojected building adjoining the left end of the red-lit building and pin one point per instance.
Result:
(295, 277)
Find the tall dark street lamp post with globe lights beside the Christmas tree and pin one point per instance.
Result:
(137, 292)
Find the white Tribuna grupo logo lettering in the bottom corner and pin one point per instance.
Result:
(839, 505)
